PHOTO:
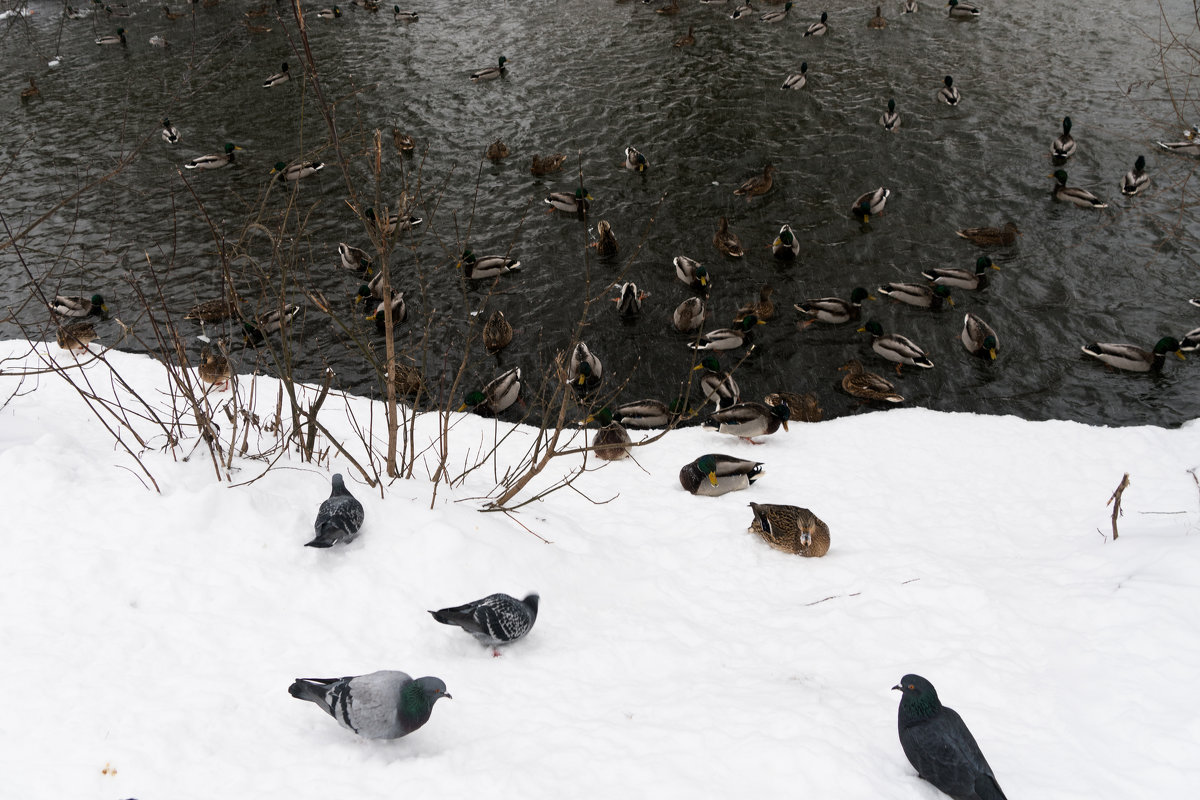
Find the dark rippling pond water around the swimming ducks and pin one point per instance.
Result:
(587, 79)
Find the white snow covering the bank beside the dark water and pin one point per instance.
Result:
(151, 637)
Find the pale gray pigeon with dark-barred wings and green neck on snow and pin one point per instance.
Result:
(386, 705)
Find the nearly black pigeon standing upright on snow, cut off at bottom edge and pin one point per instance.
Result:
(939, 744)
